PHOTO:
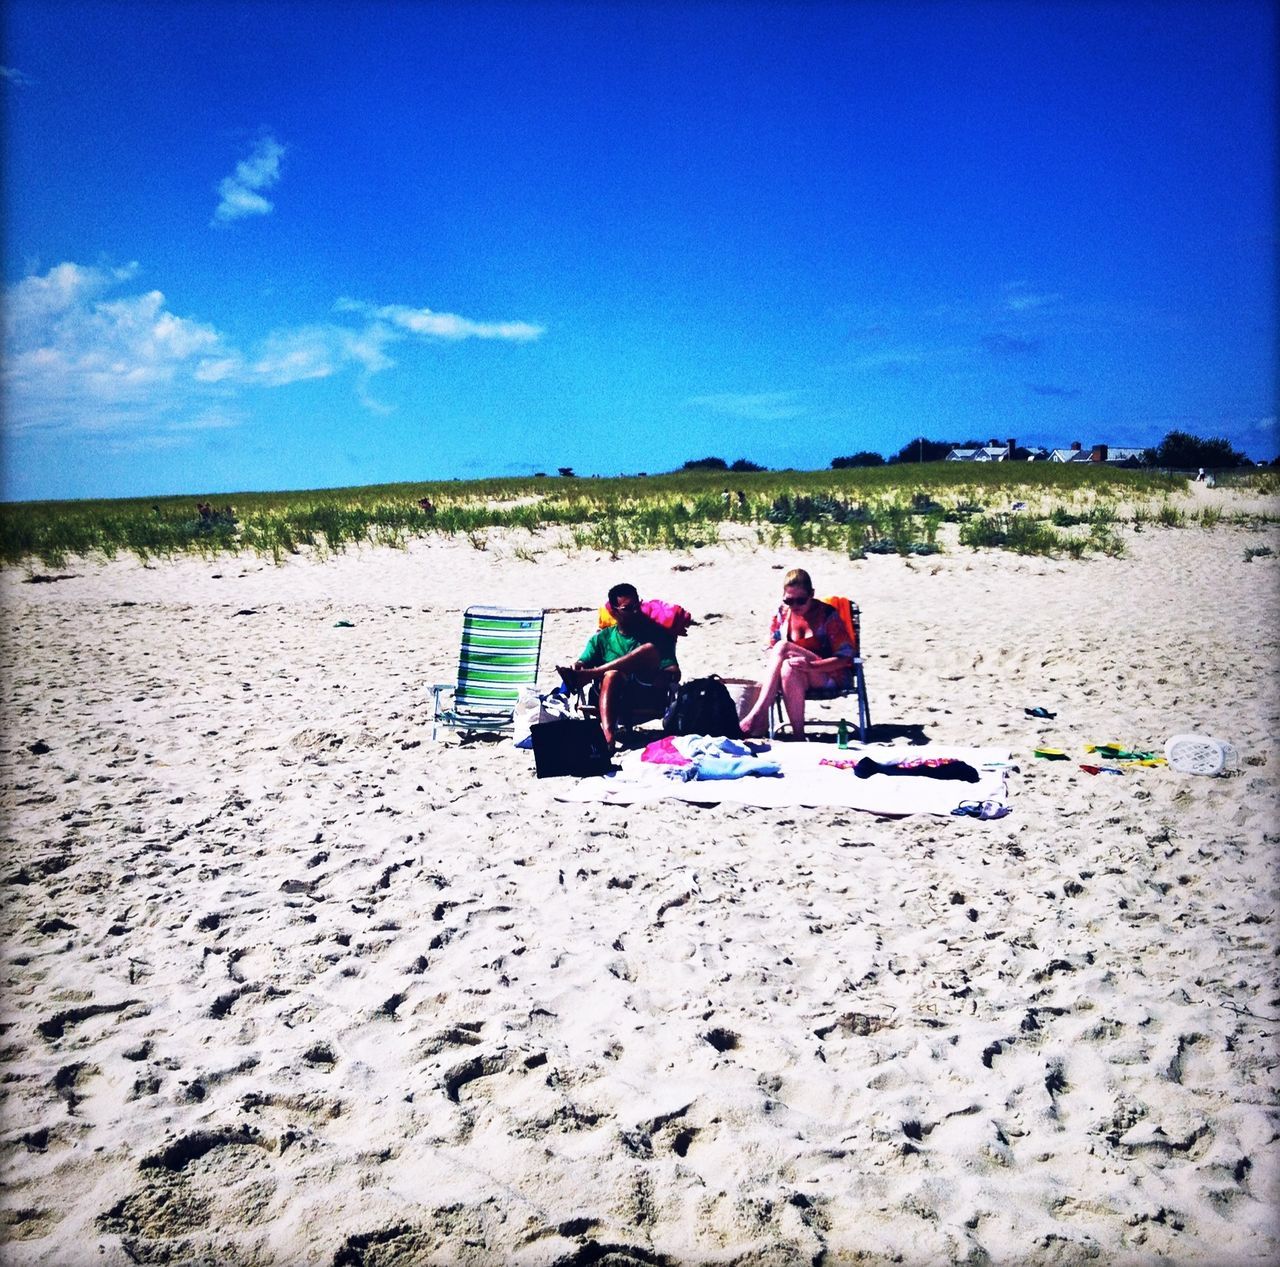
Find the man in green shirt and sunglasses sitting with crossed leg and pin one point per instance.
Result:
(629, 665)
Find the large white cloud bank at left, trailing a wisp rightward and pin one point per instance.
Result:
(81, 356)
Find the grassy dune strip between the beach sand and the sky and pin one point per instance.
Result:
(904, 510)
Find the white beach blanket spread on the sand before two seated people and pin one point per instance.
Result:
(806, 781)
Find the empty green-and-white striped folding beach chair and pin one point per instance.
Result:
(499, 660)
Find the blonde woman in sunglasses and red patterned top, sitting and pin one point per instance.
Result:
(811, 651)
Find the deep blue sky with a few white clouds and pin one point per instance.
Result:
(269, 245)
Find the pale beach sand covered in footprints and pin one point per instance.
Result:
(286, 982)
